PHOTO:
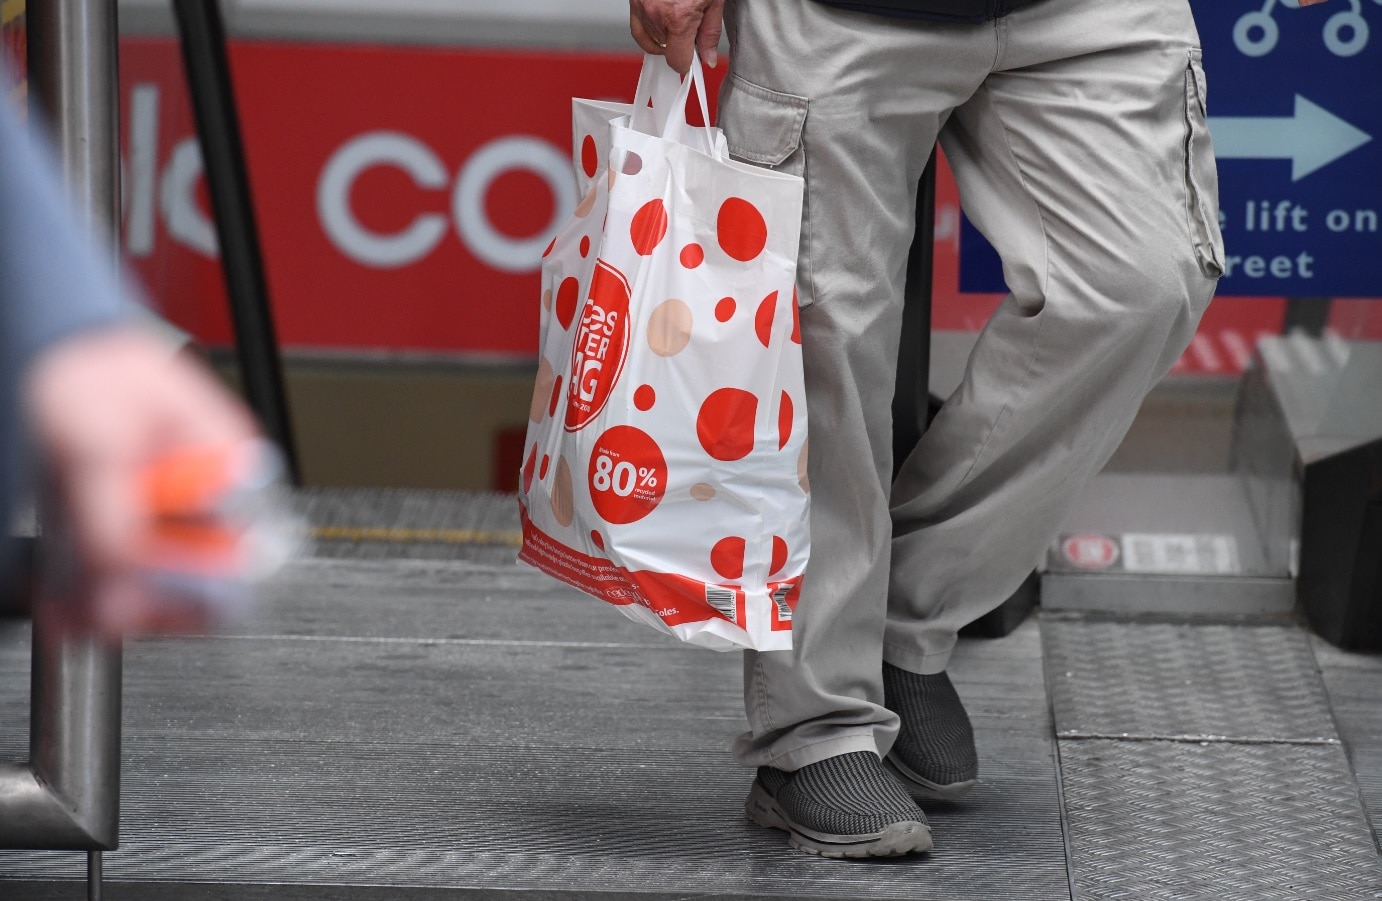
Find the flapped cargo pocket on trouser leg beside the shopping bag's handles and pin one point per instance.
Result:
(765, 128)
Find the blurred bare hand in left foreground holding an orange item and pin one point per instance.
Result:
(104, 406)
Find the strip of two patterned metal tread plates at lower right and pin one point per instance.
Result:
(1203, 759)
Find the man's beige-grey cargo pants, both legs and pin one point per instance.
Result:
(1077, 133)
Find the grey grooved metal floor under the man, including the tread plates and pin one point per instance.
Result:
(458, 728)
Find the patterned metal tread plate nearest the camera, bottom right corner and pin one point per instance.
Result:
(1167, 822)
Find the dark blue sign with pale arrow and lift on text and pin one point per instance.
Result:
(1296, 114)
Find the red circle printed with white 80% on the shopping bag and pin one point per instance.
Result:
(628, 475)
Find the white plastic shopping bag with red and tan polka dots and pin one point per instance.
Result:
(665, 461)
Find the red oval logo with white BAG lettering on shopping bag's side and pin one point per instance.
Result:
(600, 349)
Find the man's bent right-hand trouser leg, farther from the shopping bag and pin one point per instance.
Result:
(1086, 161)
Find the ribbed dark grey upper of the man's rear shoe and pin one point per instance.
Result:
(936, 740)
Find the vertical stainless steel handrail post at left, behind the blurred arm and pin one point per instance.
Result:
(67, 797)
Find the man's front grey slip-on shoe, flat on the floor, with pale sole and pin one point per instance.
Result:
(845, 806)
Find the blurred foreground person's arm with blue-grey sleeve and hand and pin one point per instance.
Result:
(89, 396)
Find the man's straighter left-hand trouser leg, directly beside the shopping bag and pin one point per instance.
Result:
(853, 103)
